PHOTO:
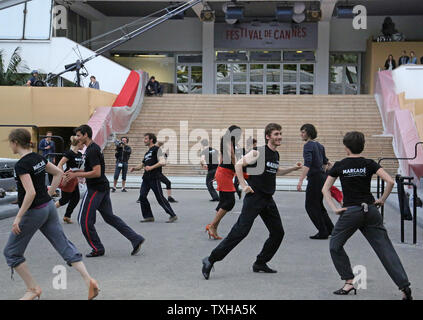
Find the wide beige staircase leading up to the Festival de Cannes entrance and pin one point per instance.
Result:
(333, 116)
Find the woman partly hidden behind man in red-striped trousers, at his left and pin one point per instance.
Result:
(72, 159)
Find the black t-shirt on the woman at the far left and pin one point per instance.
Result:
(34, 165)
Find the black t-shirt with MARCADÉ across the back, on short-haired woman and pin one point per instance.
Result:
(355, 175)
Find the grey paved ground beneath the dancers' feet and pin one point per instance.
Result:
(169, 265)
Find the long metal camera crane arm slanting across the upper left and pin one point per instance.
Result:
(79, 64)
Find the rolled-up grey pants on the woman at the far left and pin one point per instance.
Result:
(46, 220)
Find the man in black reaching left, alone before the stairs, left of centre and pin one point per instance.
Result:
(153, 160)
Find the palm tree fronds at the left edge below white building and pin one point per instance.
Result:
(13, 74)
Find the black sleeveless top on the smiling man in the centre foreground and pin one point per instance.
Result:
(265, 182)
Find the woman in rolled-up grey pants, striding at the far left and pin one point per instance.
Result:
(37, 212)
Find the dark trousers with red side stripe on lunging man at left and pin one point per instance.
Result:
(100, 200)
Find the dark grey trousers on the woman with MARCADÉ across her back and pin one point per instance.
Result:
(371, 226)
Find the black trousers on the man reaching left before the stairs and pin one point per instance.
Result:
(153, 184)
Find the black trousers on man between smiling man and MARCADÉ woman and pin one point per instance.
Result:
(314, 205)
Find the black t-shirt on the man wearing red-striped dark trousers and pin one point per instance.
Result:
(93, 157)
